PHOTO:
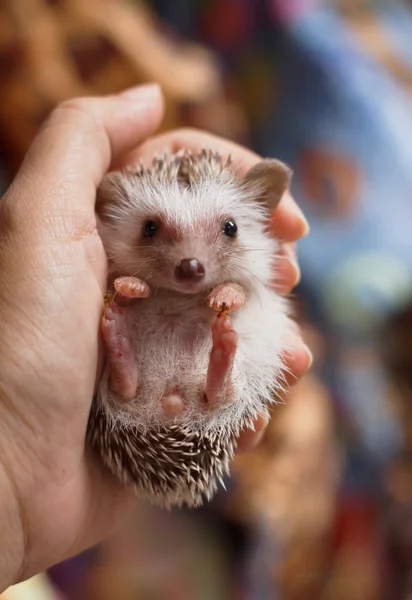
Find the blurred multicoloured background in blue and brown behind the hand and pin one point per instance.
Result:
(323, 509)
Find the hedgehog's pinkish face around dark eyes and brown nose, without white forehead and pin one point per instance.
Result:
(186, 256)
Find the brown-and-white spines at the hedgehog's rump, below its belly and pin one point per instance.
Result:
(169, 466)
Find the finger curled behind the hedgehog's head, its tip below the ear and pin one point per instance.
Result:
(288, 221)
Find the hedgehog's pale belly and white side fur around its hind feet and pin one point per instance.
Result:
(172, 343)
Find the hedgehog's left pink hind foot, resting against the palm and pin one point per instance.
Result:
(122, 364)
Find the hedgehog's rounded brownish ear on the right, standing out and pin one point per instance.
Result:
(267, 181)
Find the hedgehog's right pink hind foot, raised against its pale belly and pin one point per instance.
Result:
(219, 375)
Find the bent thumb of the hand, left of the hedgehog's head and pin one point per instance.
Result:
(75, 148)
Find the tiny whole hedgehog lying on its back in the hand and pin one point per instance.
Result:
(193, 328)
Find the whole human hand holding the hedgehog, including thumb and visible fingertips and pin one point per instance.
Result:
(55, 498)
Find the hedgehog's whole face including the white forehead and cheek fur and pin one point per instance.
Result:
(186, 238)
